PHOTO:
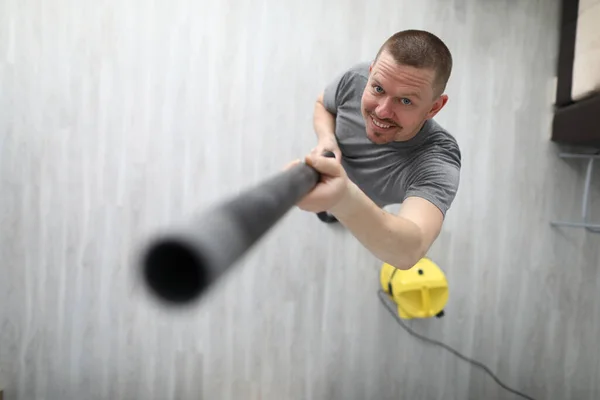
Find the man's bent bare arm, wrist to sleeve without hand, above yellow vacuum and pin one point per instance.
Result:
(400, 240)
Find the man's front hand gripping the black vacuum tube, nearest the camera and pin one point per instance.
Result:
(333, 185)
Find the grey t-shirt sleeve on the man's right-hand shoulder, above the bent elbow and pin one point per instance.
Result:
(436, 176)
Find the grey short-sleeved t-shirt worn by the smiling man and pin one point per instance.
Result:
(426, 166)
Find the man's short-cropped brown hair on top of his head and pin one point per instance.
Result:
(421, 49)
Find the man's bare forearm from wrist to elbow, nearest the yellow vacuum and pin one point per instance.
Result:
(391, 238)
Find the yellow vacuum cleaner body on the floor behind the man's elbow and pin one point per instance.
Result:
(419, 292)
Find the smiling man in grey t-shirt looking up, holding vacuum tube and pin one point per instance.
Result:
(377, 119)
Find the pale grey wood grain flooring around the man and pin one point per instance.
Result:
(119, 118)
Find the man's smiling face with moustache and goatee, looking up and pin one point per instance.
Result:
(397, 100)
